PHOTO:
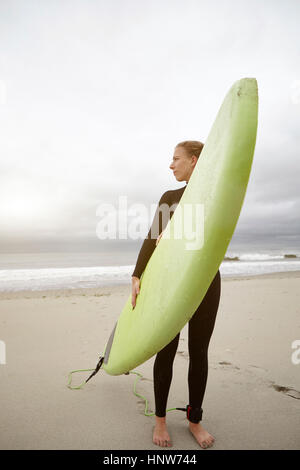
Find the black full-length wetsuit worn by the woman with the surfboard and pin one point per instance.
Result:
(201, 326)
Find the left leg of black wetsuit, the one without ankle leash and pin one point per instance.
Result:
(162, 374)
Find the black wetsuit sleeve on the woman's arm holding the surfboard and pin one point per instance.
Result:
(159, 223)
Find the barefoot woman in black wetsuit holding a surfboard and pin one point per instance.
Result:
(201, 324)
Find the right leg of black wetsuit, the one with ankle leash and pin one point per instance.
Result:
(201, 326)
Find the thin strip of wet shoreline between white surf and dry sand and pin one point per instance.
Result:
(109, 289)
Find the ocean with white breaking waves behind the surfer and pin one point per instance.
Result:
(55, 270)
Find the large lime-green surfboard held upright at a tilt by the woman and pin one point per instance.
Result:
(180, 270)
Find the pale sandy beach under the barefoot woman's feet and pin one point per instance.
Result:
(252, 398)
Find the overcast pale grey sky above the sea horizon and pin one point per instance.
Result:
(94, 96)
